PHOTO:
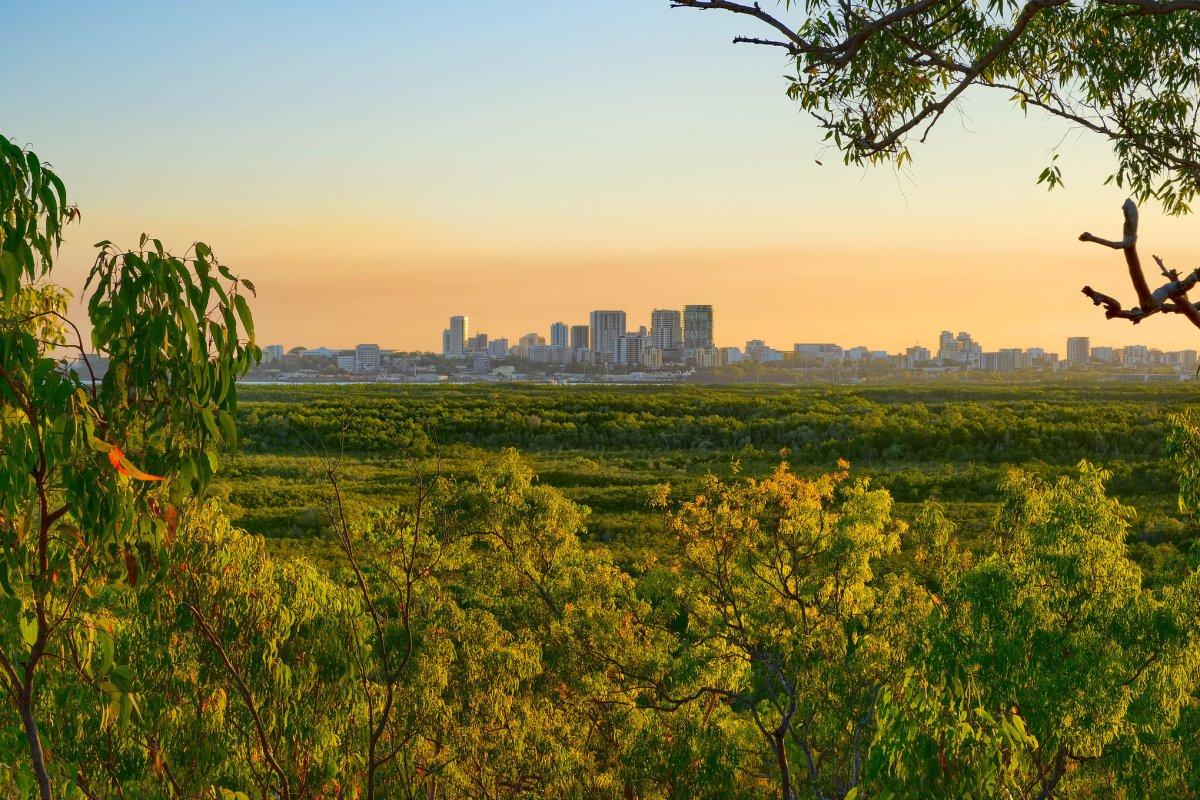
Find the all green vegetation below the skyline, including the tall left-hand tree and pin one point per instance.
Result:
(735, 613)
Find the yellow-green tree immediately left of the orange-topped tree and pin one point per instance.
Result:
(572, 723)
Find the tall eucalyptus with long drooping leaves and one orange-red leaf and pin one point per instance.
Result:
(94, 467)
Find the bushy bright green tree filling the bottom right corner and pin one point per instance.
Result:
(1047, 670)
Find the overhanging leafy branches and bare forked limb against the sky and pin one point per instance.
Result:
(878, 75)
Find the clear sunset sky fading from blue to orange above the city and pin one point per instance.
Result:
(377, 167)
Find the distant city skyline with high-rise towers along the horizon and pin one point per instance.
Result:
(680, 345)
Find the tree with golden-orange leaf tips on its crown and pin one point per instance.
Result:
(787, 622)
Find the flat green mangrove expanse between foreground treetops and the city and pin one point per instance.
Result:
(607, 448)
